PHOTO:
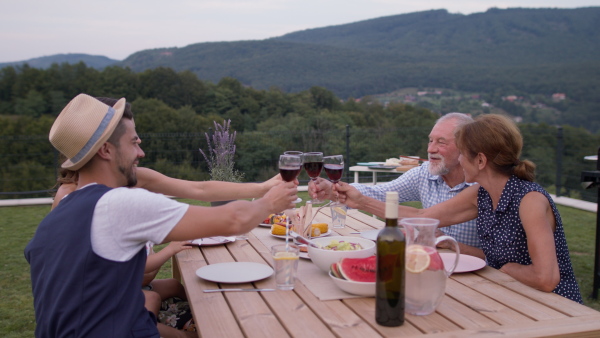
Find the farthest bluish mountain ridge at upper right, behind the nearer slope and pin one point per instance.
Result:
(496, 37)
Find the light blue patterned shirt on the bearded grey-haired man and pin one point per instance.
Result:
(418, 184)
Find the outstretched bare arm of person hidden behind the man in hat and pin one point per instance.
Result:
(202, 190)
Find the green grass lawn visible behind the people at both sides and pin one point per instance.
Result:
(18, 224)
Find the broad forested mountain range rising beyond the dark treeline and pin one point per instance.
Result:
(528, 50)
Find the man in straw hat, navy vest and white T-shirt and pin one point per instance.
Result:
(88, 255)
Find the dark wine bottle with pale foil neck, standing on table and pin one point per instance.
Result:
(389, 302)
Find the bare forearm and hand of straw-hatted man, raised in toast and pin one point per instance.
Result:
(232, 218)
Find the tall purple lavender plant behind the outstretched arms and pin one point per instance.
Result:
(221, 151)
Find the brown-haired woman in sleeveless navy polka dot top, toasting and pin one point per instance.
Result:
(518, 225)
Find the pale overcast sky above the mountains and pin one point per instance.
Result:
(119, 28)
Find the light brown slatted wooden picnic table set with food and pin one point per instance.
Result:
(485, 303)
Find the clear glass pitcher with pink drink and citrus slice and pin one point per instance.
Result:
(425, 272)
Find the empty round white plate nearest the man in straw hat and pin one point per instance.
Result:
(234, 272)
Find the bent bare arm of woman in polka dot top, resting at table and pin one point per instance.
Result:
(539, 224)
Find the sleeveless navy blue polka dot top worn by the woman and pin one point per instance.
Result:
(503, 237)
